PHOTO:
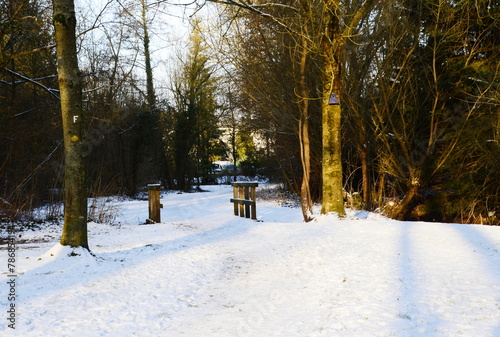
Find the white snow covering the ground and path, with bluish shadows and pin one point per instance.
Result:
(205, 272)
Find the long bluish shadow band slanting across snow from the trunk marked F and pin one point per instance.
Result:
(62, 272)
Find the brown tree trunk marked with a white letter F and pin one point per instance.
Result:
(70, 85)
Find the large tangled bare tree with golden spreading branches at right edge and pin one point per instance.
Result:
(435, 83)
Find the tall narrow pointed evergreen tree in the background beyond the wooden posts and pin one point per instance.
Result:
(195, 114)
